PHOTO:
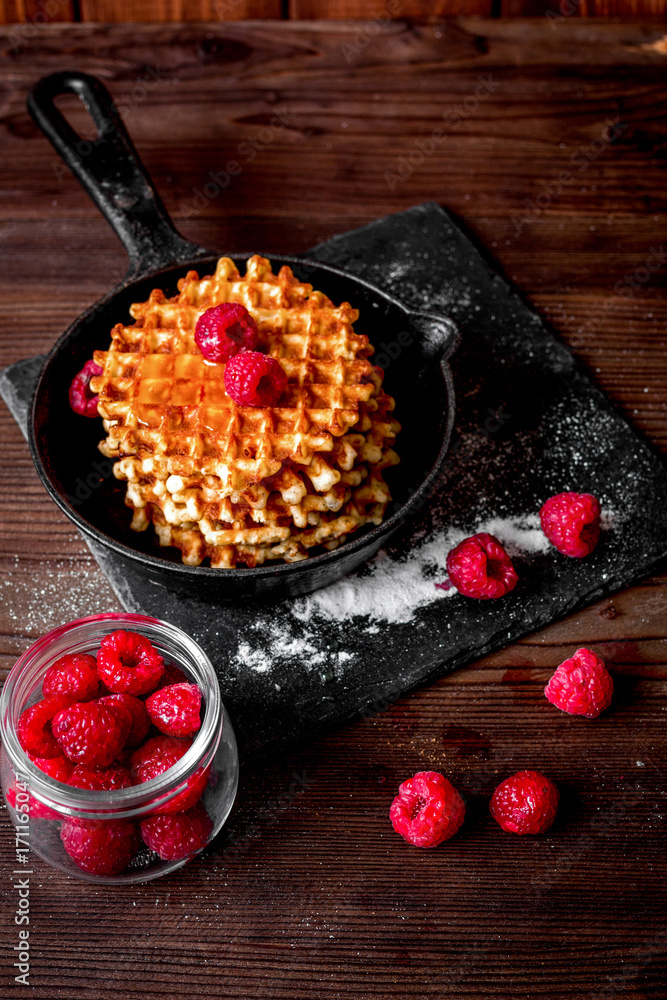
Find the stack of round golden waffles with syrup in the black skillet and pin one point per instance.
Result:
(241, 484)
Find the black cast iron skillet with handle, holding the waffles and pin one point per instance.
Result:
(64, 445)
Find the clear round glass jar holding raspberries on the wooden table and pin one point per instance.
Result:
(38, 804)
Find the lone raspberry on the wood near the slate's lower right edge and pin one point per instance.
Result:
(581, 685)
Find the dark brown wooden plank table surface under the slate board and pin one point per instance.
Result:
(319, 897)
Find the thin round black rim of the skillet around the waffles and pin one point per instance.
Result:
(380, 533)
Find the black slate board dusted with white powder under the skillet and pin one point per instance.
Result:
(528, 425)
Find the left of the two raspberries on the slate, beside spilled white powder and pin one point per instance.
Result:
(480, 567)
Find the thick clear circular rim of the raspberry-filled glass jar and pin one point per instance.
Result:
(119, 803)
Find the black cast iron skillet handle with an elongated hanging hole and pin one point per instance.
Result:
(110, 170)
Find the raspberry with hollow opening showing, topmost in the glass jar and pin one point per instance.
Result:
(127, 662)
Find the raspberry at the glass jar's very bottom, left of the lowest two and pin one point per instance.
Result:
(100, 847)
